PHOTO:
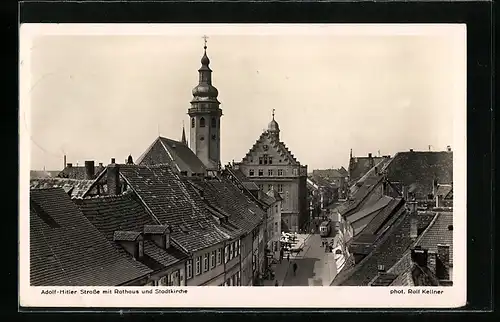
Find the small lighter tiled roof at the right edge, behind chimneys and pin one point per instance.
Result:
(438, 233)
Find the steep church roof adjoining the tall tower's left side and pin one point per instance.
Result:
(174, 153)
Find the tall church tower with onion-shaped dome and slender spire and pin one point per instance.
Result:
(205, 114)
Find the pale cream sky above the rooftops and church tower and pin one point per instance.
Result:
(103, 95)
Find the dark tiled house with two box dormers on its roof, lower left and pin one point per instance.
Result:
(119, 217)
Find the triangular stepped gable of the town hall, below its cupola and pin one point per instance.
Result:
(267, 145)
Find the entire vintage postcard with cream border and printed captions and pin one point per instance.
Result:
(277, 165)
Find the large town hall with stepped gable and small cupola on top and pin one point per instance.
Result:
(271, 165)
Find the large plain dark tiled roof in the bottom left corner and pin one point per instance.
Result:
(67, 250)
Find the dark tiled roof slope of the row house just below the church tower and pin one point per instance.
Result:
(223, 194)
